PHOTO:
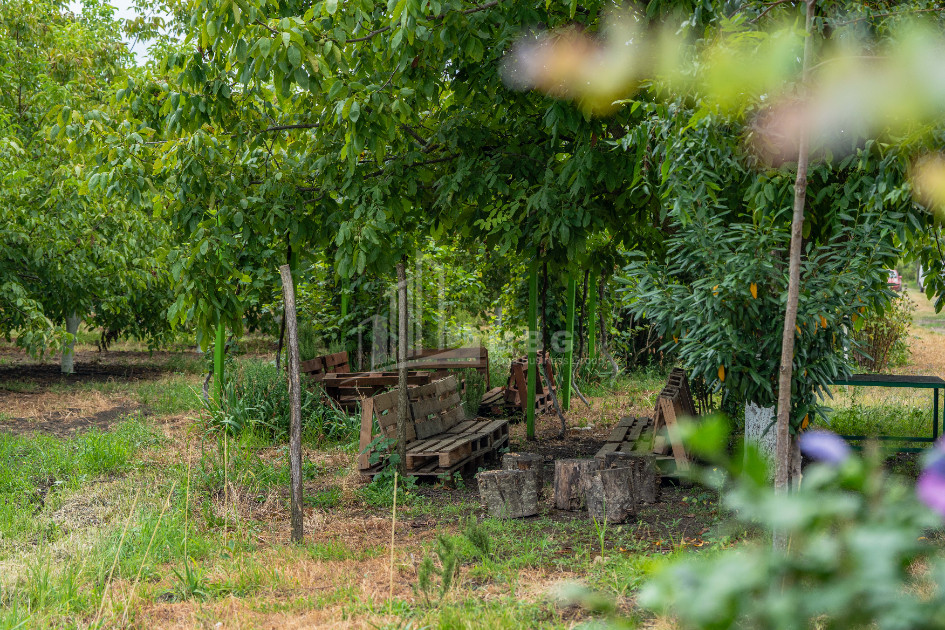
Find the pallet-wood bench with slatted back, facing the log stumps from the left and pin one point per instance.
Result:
(440, 439)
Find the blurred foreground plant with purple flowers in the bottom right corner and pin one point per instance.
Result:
(858, 554)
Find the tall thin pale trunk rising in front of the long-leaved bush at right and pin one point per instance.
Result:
(783, 471)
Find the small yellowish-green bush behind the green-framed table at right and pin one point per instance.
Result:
(880, 338)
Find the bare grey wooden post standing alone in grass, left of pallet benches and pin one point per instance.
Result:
(295, 397)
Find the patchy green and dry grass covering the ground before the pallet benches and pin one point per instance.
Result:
(202, 521)
